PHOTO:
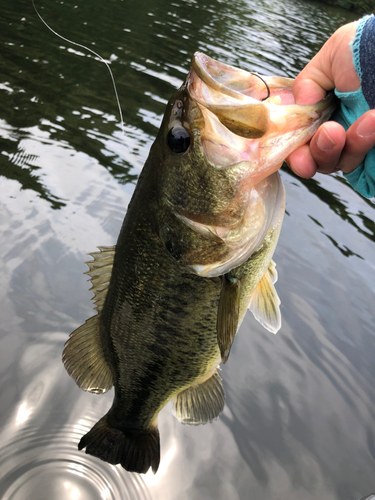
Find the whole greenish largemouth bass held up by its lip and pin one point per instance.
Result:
(193, 255)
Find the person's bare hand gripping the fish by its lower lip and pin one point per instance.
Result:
(332, 148)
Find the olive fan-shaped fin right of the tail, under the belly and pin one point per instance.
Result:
(200, 403)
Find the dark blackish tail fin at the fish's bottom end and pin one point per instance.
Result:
(135, 449)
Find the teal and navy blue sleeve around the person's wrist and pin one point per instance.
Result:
(354, 104)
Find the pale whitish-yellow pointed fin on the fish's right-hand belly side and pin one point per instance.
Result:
(265, 303)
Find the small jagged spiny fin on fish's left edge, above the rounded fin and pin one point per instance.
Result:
(100, 270)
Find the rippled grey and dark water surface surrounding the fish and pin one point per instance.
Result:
(299, 419)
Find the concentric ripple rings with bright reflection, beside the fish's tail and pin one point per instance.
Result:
(48, 465)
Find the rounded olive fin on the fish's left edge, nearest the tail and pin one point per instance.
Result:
(84, 360)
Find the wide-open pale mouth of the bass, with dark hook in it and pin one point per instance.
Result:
(247, 105)
